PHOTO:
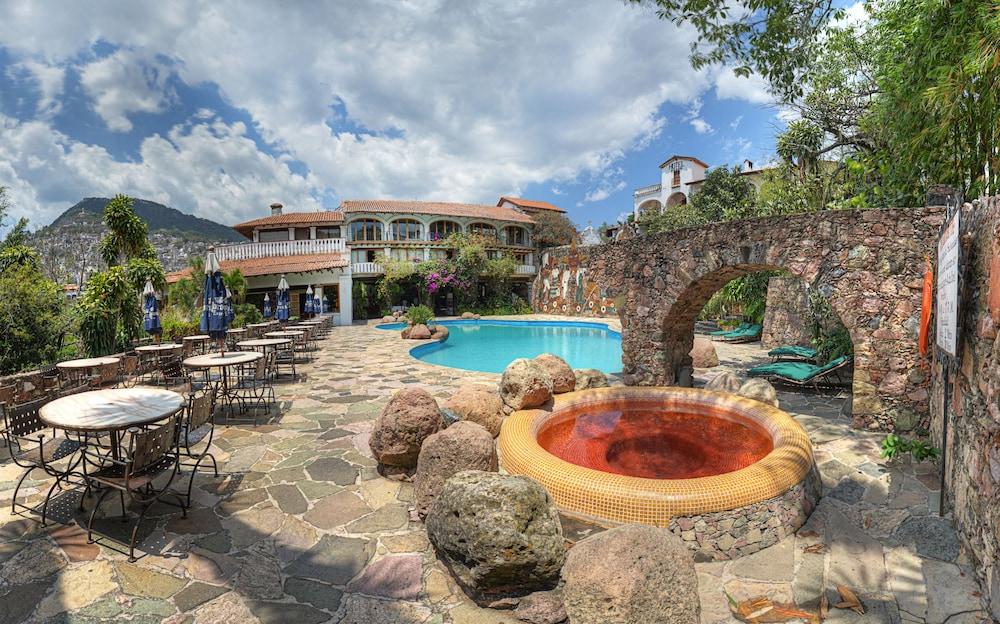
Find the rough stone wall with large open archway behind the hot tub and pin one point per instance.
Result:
(868, 263)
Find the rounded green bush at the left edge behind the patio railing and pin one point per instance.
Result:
(31, 319)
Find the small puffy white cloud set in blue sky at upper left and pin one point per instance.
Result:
(126, 82)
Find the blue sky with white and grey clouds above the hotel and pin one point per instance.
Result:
(219, 109)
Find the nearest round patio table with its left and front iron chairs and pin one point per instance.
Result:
(112, 440)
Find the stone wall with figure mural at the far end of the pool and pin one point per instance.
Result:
(563, 285)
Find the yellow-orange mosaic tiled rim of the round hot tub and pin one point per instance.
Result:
(620, 498)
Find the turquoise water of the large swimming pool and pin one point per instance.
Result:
(489, 346)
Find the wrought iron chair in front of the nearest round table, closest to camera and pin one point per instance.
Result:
(150, 453)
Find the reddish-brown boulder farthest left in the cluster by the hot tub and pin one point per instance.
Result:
(407, 420)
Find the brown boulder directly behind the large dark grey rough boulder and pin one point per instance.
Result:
(463, 446)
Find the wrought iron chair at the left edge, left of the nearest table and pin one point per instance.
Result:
(33, 446)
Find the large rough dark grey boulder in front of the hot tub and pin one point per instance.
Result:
(499, 534)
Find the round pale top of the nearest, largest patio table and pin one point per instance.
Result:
(110, 410)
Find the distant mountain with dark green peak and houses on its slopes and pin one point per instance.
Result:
(68, 245)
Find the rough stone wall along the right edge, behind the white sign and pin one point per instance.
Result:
(973, 446)
